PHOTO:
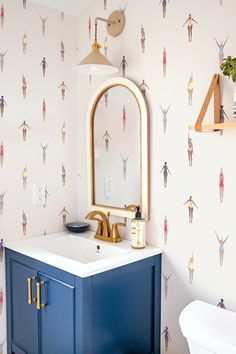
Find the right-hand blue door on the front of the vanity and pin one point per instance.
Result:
(57, 323)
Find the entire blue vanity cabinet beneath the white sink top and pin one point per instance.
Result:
(113, 312)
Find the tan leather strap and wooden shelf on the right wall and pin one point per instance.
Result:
(214, 89)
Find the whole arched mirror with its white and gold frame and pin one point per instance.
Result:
(118, 152)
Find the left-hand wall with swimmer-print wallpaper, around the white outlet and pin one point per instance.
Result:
(47, 130)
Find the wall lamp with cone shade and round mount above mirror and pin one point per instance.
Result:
(96, 63)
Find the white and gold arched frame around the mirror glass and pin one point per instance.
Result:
(144, 148)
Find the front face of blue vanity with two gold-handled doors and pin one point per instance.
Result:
(47, 330)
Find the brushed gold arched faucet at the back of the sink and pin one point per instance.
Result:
(104, 231)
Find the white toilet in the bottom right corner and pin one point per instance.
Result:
(208, 329)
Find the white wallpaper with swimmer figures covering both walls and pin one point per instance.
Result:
(172, 50)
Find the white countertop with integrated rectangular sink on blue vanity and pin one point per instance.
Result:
(78, 254)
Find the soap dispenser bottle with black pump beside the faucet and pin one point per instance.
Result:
(138, 228)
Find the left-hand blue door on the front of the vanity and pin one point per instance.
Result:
(24, 315)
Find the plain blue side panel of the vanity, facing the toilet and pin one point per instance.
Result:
(121, 310)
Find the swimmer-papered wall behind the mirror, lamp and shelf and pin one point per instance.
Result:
(215, 19)
